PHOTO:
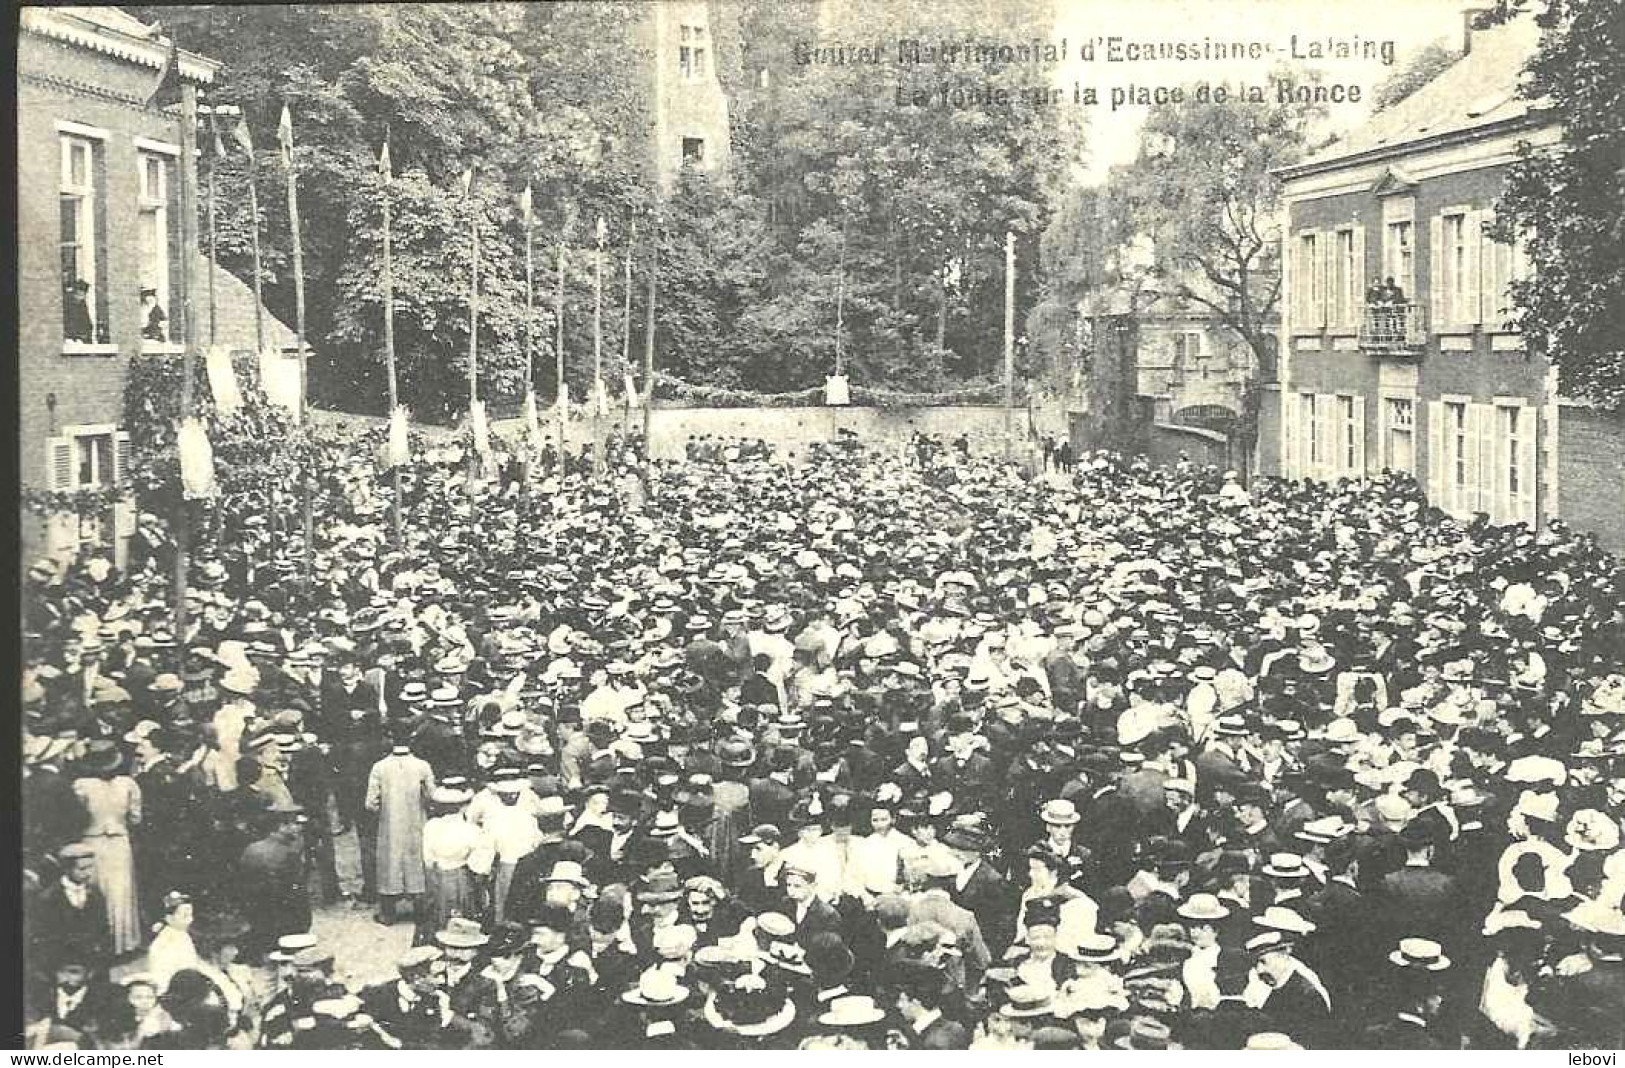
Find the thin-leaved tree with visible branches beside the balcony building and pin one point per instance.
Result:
(1205, 193)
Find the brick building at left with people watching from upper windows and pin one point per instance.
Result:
(100, 248)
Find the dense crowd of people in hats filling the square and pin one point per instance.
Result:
(844, 753)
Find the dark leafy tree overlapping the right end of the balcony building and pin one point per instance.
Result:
(1567, 204)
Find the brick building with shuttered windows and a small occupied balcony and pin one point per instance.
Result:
(1397, 352)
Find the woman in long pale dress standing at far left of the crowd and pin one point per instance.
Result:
(113, 805)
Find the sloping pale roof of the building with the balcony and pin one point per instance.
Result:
(1480, 90)
